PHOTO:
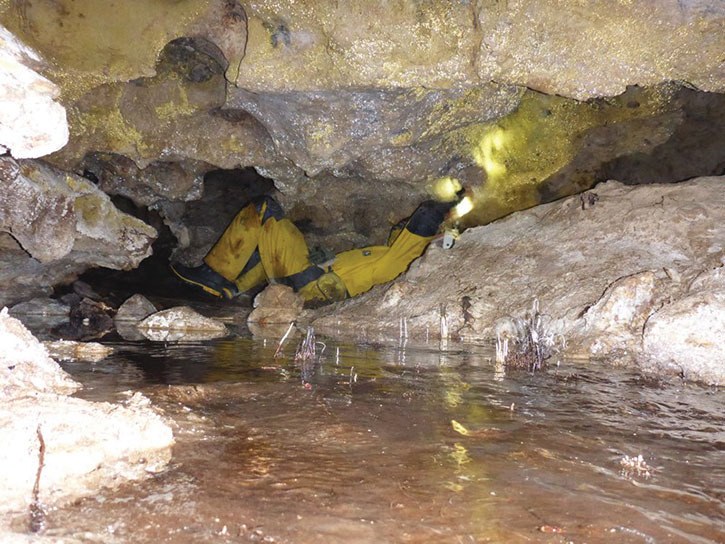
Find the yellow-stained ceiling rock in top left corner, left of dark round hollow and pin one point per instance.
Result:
(88, 42)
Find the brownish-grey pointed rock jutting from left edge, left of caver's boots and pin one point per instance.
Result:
(65, 224)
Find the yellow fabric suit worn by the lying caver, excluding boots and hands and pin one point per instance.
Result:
(260, 246)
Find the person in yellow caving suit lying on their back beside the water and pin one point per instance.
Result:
(262, 245)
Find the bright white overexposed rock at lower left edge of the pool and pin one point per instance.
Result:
(84, 445)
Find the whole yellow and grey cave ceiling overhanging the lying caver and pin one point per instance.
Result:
(348, 106)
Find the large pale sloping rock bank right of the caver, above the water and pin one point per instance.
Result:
(599, 273)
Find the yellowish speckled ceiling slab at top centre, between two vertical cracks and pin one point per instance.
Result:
(313, 44)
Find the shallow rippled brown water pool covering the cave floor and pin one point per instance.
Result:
(401, 443)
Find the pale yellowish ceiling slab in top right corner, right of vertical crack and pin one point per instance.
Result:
(588, 49)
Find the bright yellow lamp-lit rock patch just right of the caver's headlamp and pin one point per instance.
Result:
(520, 151)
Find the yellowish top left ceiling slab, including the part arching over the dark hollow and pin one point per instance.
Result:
(87, 53)
